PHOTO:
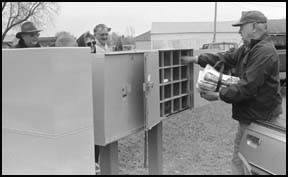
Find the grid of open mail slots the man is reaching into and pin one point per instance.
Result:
(175, 82)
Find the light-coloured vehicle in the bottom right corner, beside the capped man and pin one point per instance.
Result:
(263, 148)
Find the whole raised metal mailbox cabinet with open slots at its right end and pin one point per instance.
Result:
(136, 90)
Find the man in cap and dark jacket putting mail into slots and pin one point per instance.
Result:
(257, 95)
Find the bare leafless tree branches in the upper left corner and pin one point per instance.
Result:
(15, 13)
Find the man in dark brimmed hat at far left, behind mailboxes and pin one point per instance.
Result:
(28, 37)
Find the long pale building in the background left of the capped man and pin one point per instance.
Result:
(190, 40)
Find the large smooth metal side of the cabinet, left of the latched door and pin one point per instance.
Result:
(118, 95)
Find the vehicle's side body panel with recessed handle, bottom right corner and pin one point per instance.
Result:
(264, 148)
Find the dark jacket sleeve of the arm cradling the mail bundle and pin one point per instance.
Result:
(259, 66)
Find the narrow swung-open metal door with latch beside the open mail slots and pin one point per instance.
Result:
(151, 90)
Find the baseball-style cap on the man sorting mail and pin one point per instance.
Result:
(251, 16)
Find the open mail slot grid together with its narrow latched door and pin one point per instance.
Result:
(169, 84)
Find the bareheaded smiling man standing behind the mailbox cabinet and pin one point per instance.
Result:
(101, 32)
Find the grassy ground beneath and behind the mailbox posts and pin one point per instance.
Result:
(198, 142)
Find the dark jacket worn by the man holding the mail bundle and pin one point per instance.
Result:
(257, 95)
